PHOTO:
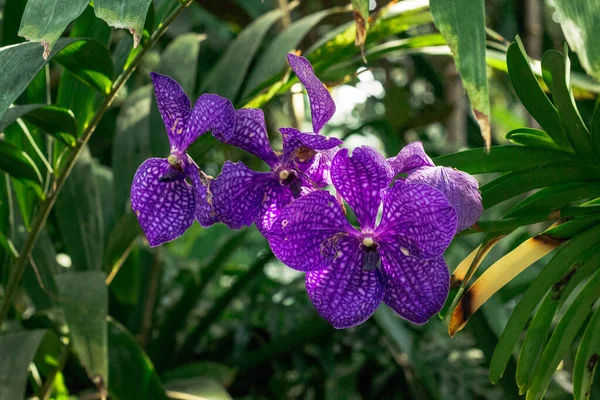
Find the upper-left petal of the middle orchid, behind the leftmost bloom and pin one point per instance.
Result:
(251, 135)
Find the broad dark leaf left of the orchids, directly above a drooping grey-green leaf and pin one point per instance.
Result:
(80, 218)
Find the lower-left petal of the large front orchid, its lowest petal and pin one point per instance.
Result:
(343, 293)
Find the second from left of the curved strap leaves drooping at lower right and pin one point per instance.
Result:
(538, 331)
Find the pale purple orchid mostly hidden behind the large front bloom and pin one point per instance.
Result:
(460, 188)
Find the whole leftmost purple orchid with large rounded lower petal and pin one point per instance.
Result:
(166, 205)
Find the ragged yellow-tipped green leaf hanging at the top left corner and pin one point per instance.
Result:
(45, 20)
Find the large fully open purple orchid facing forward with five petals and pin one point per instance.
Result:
(349, 271)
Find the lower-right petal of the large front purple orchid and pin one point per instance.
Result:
(415, 289)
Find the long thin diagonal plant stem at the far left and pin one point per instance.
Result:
(46, 206)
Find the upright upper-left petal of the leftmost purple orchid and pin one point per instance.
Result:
(173, 105)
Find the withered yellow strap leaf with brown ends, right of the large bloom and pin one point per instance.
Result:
(498, 275)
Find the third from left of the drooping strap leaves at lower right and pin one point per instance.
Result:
(563, 336)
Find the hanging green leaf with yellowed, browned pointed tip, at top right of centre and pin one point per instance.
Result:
(462, 22)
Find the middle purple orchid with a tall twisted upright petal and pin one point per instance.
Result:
(241, 196)
